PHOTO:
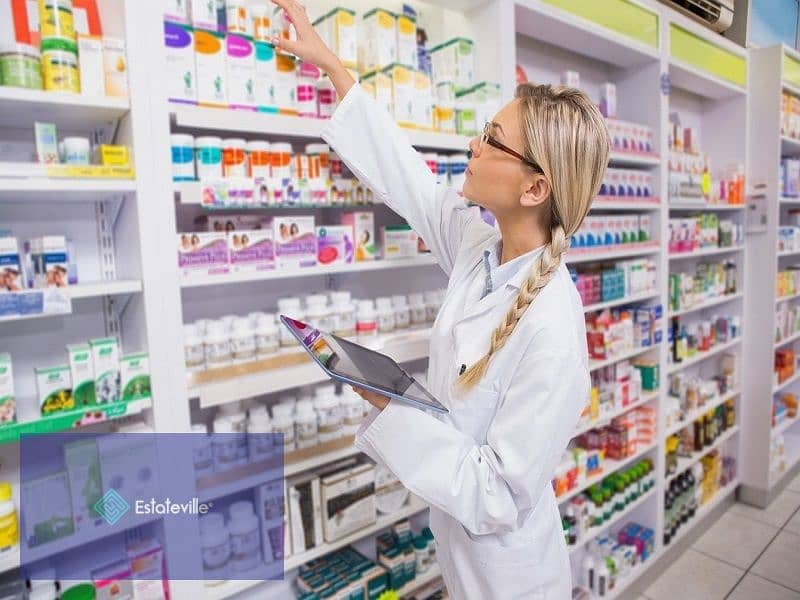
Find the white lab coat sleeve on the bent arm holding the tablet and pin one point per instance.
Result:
(489, 488)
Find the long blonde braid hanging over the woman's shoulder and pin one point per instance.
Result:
(544, 268)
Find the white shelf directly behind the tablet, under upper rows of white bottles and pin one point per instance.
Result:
(289, 370)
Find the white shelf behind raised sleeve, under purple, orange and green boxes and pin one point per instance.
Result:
(198, 118)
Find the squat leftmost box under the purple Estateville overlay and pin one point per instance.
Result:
(48, 509)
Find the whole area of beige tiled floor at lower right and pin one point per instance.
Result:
(748, 554)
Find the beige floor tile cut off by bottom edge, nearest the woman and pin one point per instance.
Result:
(695, 576)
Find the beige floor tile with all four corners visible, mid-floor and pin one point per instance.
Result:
(736, 540)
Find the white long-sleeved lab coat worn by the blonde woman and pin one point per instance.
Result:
(485, 468)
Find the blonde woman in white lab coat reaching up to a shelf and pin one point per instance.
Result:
(508, 349)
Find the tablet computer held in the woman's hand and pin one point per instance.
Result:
(356, 365)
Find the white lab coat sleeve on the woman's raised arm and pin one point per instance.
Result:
(379, 153)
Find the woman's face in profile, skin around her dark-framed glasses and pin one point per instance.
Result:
(496, 180)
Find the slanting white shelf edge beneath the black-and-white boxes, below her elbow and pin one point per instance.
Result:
(231, 588)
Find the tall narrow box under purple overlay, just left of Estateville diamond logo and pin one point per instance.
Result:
(83, 470)
